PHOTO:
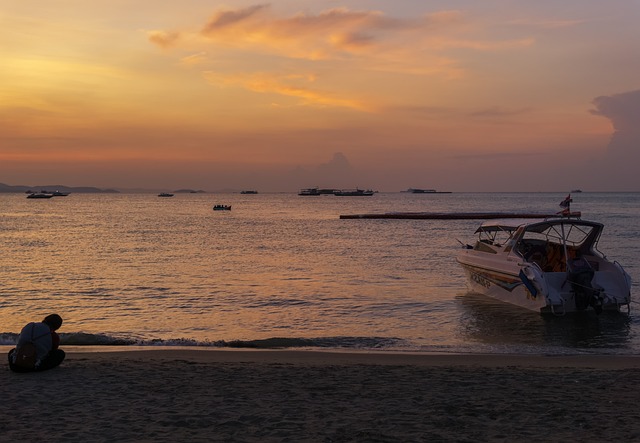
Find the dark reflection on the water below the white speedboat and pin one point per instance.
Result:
(500, 325)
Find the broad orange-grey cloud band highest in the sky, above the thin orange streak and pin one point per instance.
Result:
(333, 34)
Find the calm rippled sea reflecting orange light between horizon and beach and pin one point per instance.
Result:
(284, 270)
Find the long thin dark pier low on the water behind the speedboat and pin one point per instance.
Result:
(451, 215)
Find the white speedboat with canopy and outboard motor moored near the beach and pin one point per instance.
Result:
(549, 265)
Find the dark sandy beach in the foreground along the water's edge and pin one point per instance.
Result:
(186, 395)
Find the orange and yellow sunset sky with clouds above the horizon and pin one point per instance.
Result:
(467, 95)
